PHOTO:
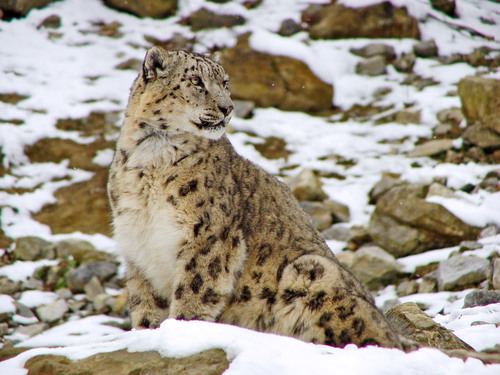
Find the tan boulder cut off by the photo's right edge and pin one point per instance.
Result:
(481, 107)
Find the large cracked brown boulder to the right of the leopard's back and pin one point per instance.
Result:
(404, 223)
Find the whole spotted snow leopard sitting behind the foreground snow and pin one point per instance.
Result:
(209, 235)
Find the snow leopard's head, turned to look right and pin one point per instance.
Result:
(178, 92)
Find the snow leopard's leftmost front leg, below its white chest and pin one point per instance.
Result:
(147, 308)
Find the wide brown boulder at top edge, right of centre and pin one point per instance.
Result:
(375, 21)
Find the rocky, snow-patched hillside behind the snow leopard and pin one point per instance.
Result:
(381, 116)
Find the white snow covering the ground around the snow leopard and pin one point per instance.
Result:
(56, 73)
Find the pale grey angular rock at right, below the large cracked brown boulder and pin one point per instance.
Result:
(460, 272)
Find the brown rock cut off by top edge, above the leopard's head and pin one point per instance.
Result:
(153, 9)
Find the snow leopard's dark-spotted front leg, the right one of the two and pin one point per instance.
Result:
(205, 276)
